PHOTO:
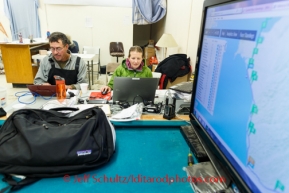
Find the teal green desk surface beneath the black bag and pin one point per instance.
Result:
(147, 159)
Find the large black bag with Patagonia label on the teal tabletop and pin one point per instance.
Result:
(45, 143)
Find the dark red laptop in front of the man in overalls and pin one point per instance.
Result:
(43, 90)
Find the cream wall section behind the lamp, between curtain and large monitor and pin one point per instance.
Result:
(183, 22)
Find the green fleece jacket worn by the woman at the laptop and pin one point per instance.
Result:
(123, 71)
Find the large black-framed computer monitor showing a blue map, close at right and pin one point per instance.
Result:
(240, 100)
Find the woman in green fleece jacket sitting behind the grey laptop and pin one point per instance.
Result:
(133, 66)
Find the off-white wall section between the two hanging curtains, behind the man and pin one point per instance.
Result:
(90, 25)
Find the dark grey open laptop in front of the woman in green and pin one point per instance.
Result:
(134, 90)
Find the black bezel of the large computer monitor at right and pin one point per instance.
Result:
(201, 132)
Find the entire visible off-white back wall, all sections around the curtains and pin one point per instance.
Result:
(114, 24)
